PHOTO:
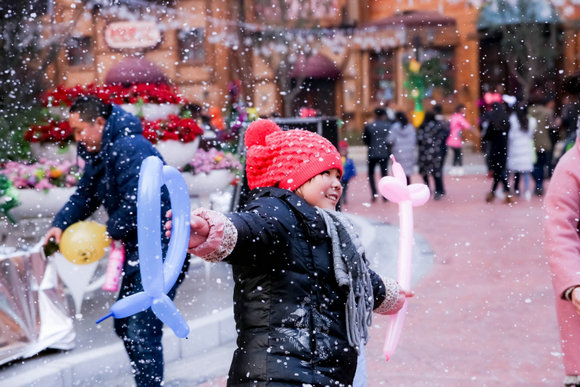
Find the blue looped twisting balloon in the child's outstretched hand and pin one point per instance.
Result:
(158, 276)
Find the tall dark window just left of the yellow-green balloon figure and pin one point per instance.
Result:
(382, 76)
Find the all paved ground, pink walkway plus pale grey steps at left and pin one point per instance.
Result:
(483, 314)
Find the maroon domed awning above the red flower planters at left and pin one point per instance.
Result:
(135, 70)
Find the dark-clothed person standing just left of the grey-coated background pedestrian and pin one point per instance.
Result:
(376, 136)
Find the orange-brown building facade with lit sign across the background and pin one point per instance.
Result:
(342, 57)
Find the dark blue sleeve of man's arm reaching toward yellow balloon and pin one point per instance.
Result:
(83, 202)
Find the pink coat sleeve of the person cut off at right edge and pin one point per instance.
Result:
(562, 205)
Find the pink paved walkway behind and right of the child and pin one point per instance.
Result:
(484, 315)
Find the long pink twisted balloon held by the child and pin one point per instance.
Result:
(395, 189)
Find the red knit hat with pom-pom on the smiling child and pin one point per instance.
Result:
(286, 158)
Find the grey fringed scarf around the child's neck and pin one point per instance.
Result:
(352, 274)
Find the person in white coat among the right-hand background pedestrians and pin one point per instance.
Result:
(520, 162)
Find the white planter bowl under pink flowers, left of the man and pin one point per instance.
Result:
(40, 204)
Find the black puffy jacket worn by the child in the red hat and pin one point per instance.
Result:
(289, 311)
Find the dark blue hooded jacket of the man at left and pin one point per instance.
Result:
(111, 178)
